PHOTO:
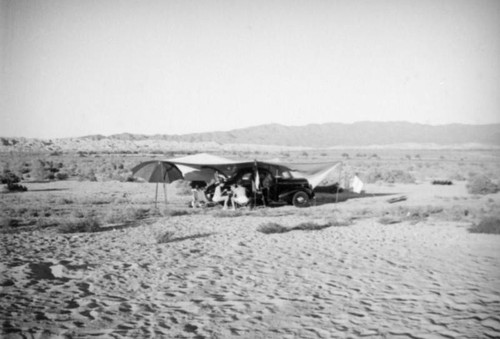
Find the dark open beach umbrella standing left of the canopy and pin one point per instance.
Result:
(158, 172)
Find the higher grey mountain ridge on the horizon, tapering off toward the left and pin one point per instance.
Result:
(337, 134)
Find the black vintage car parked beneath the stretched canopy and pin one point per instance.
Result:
(272, 190)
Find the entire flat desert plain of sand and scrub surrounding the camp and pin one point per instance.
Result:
(90, 256)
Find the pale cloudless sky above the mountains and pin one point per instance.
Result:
(71, 68)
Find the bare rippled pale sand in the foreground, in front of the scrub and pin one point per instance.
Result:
(221, 278)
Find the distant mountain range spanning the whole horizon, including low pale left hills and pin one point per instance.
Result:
(360, 134)
